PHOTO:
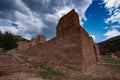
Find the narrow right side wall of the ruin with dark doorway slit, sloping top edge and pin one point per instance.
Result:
(90, 51)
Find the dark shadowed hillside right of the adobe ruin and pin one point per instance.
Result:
(110, 46)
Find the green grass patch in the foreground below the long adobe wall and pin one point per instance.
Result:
(43, 71)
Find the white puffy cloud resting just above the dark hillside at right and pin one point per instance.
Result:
(112, 33)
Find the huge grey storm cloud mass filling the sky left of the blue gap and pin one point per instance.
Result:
(35, 17)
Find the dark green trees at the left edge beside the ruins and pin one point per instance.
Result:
(9, 41)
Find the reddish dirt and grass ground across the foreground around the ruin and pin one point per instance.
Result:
(19, 68)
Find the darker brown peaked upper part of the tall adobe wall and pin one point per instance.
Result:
(68, 25)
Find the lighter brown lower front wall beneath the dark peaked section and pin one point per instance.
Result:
(60, 56)
